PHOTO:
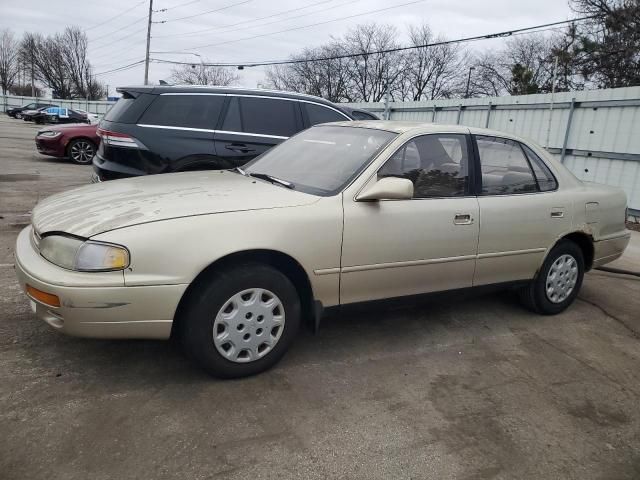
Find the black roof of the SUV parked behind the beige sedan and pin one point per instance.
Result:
(160, 89)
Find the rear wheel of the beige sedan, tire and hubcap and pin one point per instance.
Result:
(558, 282)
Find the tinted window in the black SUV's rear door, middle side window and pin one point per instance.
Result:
(268, 116)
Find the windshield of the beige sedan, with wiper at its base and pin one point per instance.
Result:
(322, 159)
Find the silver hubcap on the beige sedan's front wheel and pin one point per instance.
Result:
(248, 325)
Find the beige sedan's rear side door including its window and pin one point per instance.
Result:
(522, 212)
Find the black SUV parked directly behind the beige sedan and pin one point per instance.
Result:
(161, 129)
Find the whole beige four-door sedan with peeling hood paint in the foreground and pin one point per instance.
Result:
(232, 261)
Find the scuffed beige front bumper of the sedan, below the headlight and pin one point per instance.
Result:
(95, 305)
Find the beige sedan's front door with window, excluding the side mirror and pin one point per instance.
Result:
(404, 247)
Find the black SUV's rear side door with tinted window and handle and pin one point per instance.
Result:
(254, 124)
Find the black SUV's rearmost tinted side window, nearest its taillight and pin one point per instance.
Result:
(192, 111)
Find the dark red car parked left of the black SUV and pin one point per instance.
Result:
(78, 142)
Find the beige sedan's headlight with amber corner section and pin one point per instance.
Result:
(83, 255)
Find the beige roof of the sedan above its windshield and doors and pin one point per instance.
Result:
(399, 126)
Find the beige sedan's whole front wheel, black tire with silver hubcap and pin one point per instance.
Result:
(228, 338)
